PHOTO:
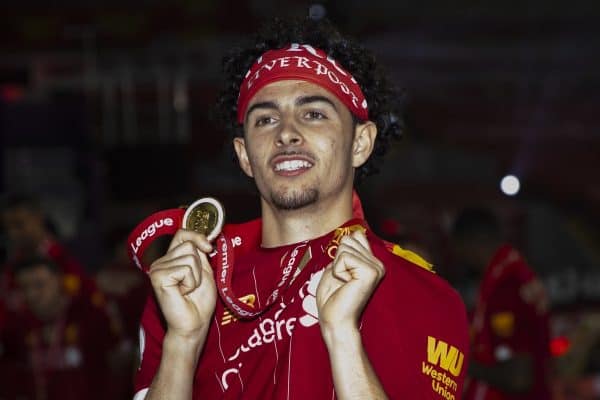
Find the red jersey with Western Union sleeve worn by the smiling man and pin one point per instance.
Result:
(414, 331)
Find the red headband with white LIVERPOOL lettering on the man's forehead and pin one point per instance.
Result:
(303, 62)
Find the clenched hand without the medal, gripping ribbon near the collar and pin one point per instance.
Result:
(348, 283)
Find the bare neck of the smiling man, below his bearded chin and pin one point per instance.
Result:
(282, 227)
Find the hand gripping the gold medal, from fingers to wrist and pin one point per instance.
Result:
(184, 285)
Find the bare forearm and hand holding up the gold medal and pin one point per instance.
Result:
(186, 292)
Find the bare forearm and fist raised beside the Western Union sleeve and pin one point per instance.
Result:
(345, 288)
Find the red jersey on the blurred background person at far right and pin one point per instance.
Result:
(510, 317)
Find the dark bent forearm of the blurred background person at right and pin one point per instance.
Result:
(514, 375)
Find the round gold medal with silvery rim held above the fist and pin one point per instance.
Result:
(205, 216)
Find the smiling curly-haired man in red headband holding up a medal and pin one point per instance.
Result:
(324, 309)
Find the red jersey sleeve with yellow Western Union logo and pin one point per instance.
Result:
(415, 333)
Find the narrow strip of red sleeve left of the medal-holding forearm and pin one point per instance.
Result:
(152, 333)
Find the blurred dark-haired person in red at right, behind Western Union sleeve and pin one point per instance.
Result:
(510, 337)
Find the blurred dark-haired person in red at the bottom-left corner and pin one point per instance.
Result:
(60, 350)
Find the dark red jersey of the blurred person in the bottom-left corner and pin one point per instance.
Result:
(62, 359)
